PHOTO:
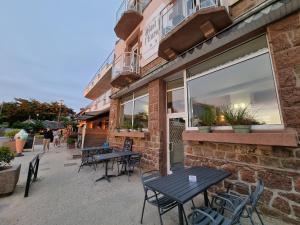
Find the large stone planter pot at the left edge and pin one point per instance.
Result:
(9, 179)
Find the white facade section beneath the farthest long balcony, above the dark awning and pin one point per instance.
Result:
(100, 104)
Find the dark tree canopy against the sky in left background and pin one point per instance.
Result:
(22, 109)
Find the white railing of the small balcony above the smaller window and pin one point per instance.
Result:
(128, 62)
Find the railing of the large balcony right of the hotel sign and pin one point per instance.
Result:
(174, 14)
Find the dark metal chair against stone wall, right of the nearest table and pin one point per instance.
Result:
(232, 196)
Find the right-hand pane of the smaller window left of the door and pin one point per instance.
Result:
(140, 115)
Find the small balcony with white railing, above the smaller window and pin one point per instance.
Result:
(125, 70)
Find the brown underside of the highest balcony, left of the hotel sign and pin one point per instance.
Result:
(127, 23)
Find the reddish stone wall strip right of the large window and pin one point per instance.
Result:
(284, 40)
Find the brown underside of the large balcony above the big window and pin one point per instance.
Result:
(201, 25)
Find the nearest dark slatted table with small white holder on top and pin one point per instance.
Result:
(178, 187)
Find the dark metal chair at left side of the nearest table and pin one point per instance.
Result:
(163, 203)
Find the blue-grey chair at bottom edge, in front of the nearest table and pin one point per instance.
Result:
(208, 216)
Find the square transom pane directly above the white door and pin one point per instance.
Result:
(175, 101)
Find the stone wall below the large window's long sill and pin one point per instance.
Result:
(279, 167)
